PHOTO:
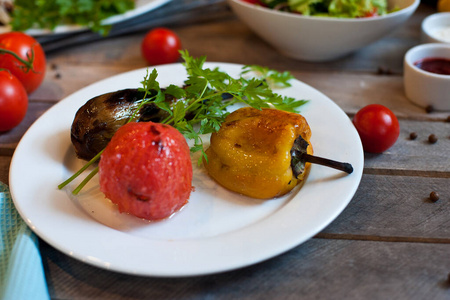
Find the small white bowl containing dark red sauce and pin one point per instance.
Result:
(425, 88)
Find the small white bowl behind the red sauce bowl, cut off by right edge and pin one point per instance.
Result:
(436, 28)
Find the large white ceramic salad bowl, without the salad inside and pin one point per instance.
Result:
(320, 38)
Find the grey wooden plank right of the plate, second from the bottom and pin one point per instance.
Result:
(397, 206)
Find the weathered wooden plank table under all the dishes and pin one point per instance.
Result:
(391, 242)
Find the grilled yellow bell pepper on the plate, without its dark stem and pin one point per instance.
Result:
(250, 154)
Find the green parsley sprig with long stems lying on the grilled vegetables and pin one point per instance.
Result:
(201, 108)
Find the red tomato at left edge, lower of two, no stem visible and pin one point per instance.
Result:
(13, 101)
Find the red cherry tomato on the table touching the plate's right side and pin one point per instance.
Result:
(377, 126)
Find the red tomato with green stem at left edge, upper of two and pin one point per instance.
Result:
(27, 49)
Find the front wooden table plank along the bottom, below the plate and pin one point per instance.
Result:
(345, 269)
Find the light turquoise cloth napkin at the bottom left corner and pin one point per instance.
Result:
(21, 273)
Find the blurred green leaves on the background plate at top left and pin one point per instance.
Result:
(47, 14)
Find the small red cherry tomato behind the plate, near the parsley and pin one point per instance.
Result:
(161, 46)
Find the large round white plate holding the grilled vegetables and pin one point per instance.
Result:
(216, 231)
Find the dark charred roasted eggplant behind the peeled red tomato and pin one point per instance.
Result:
(96, 121)
